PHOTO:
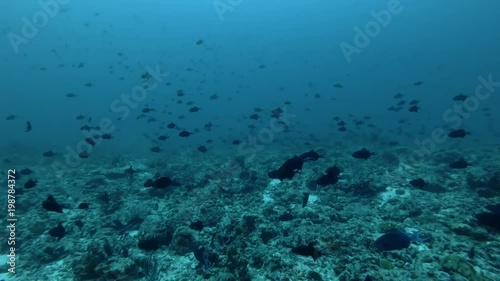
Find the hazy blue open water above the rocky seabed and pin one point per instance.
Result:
(252, 54)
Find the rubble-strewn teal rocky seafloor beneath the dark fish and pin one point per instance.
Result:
(239, 207)
